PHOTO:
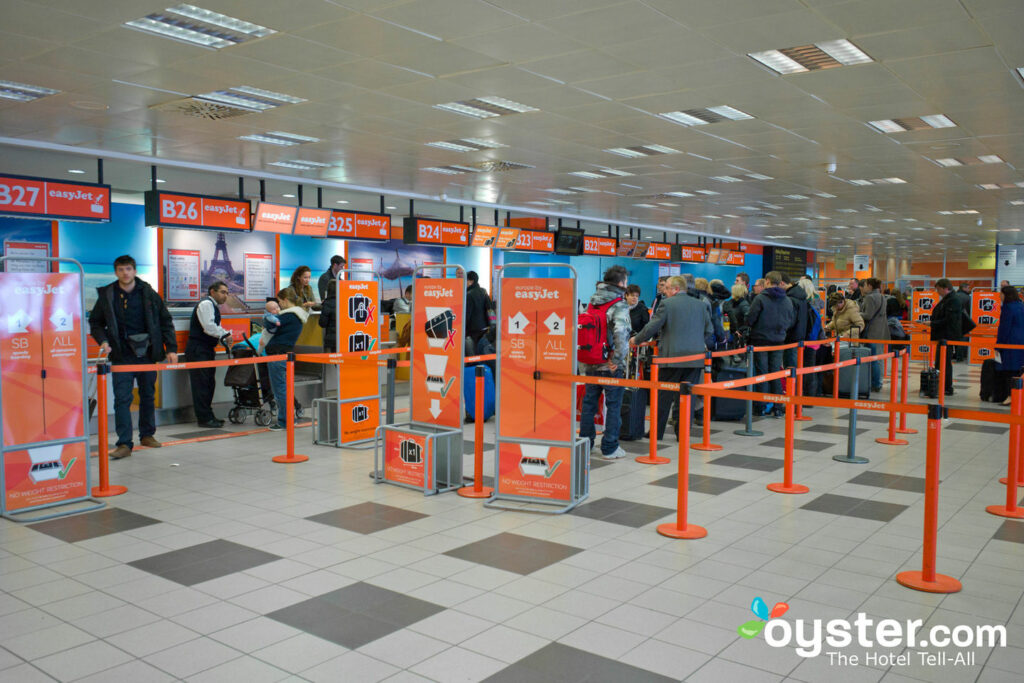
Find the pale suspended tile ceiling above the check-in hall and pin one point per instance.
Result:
(599, 73)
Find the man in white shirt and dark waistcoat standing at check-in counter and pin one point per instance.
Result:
(204, 335)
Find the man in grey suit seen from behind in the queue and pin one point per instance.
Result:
(686, 326)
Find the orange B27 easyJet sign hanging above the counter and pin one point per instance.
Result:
(25, 197)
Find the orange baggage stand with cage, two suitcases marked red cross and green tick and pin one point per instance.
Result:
(334, 408)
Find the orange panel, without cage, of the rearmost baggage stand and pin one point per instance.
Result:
(359, 330)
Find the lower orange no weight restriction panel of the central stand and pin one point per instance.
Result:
(535, 472)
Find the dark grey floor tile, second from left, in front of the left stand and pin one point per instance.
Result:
(205, 562)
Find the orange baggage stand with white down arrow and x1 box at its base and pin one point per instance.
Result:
(439, 448)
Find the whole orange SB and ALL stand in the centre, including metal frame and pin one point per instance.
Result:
(540, 464)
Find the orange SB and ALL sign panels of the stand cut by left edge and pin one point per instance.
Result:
(41, 364)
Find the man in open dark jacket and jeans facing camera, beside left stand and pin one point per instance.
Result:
(132, 324)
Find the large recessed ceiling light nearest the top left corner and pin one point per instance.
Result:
(199, 27)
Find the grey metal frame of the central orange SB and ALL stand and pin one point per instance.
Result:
(579, 448)
